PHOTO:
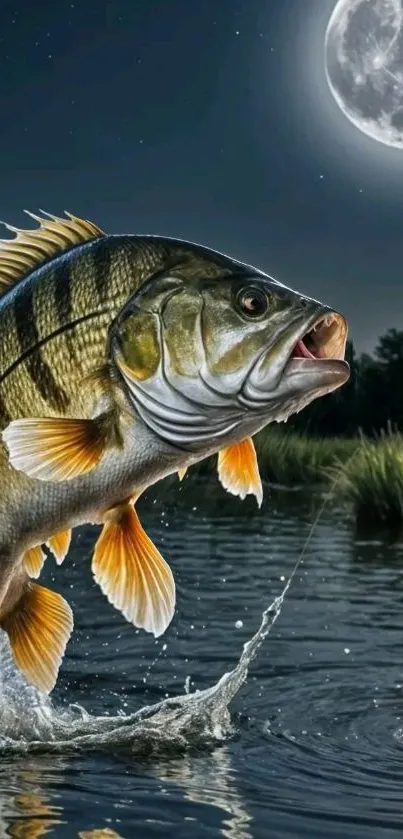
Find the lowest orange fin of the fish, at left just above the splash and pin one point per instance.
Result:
(39, 628)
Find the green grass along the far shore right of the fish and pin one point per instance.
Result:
(369, 473)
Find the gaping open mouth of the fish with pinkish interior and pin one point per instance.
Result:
(326, 339)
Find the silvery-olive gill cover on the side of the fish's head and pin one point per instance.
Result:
(157, 345)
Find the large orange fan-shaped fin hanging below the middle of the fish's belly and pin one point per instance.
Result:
(132, 573)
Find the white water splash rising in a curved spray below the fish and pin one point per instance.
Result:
(30, 723)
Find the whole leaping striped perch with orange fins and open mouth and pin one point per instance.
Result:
(125, 358)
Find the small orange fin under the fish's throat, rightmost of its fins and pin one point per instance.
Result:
(238, 470)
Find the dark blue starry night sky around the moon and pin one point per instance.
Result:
(209, 121)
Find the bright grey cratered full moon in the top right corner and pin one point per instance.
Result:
(364, 66)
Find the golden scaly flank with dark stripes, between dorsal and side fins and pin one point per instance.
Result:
(54, 326)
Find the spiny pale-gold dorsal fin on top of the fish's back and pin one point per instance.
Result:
(31, 248)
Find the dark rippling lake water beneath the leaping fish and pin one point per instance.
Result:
(313, 747)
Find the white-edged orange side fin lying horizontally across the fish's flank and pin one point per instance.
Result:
(55, 449)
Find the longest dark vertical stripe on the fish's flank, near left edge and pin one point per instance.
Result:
(36, 365)
